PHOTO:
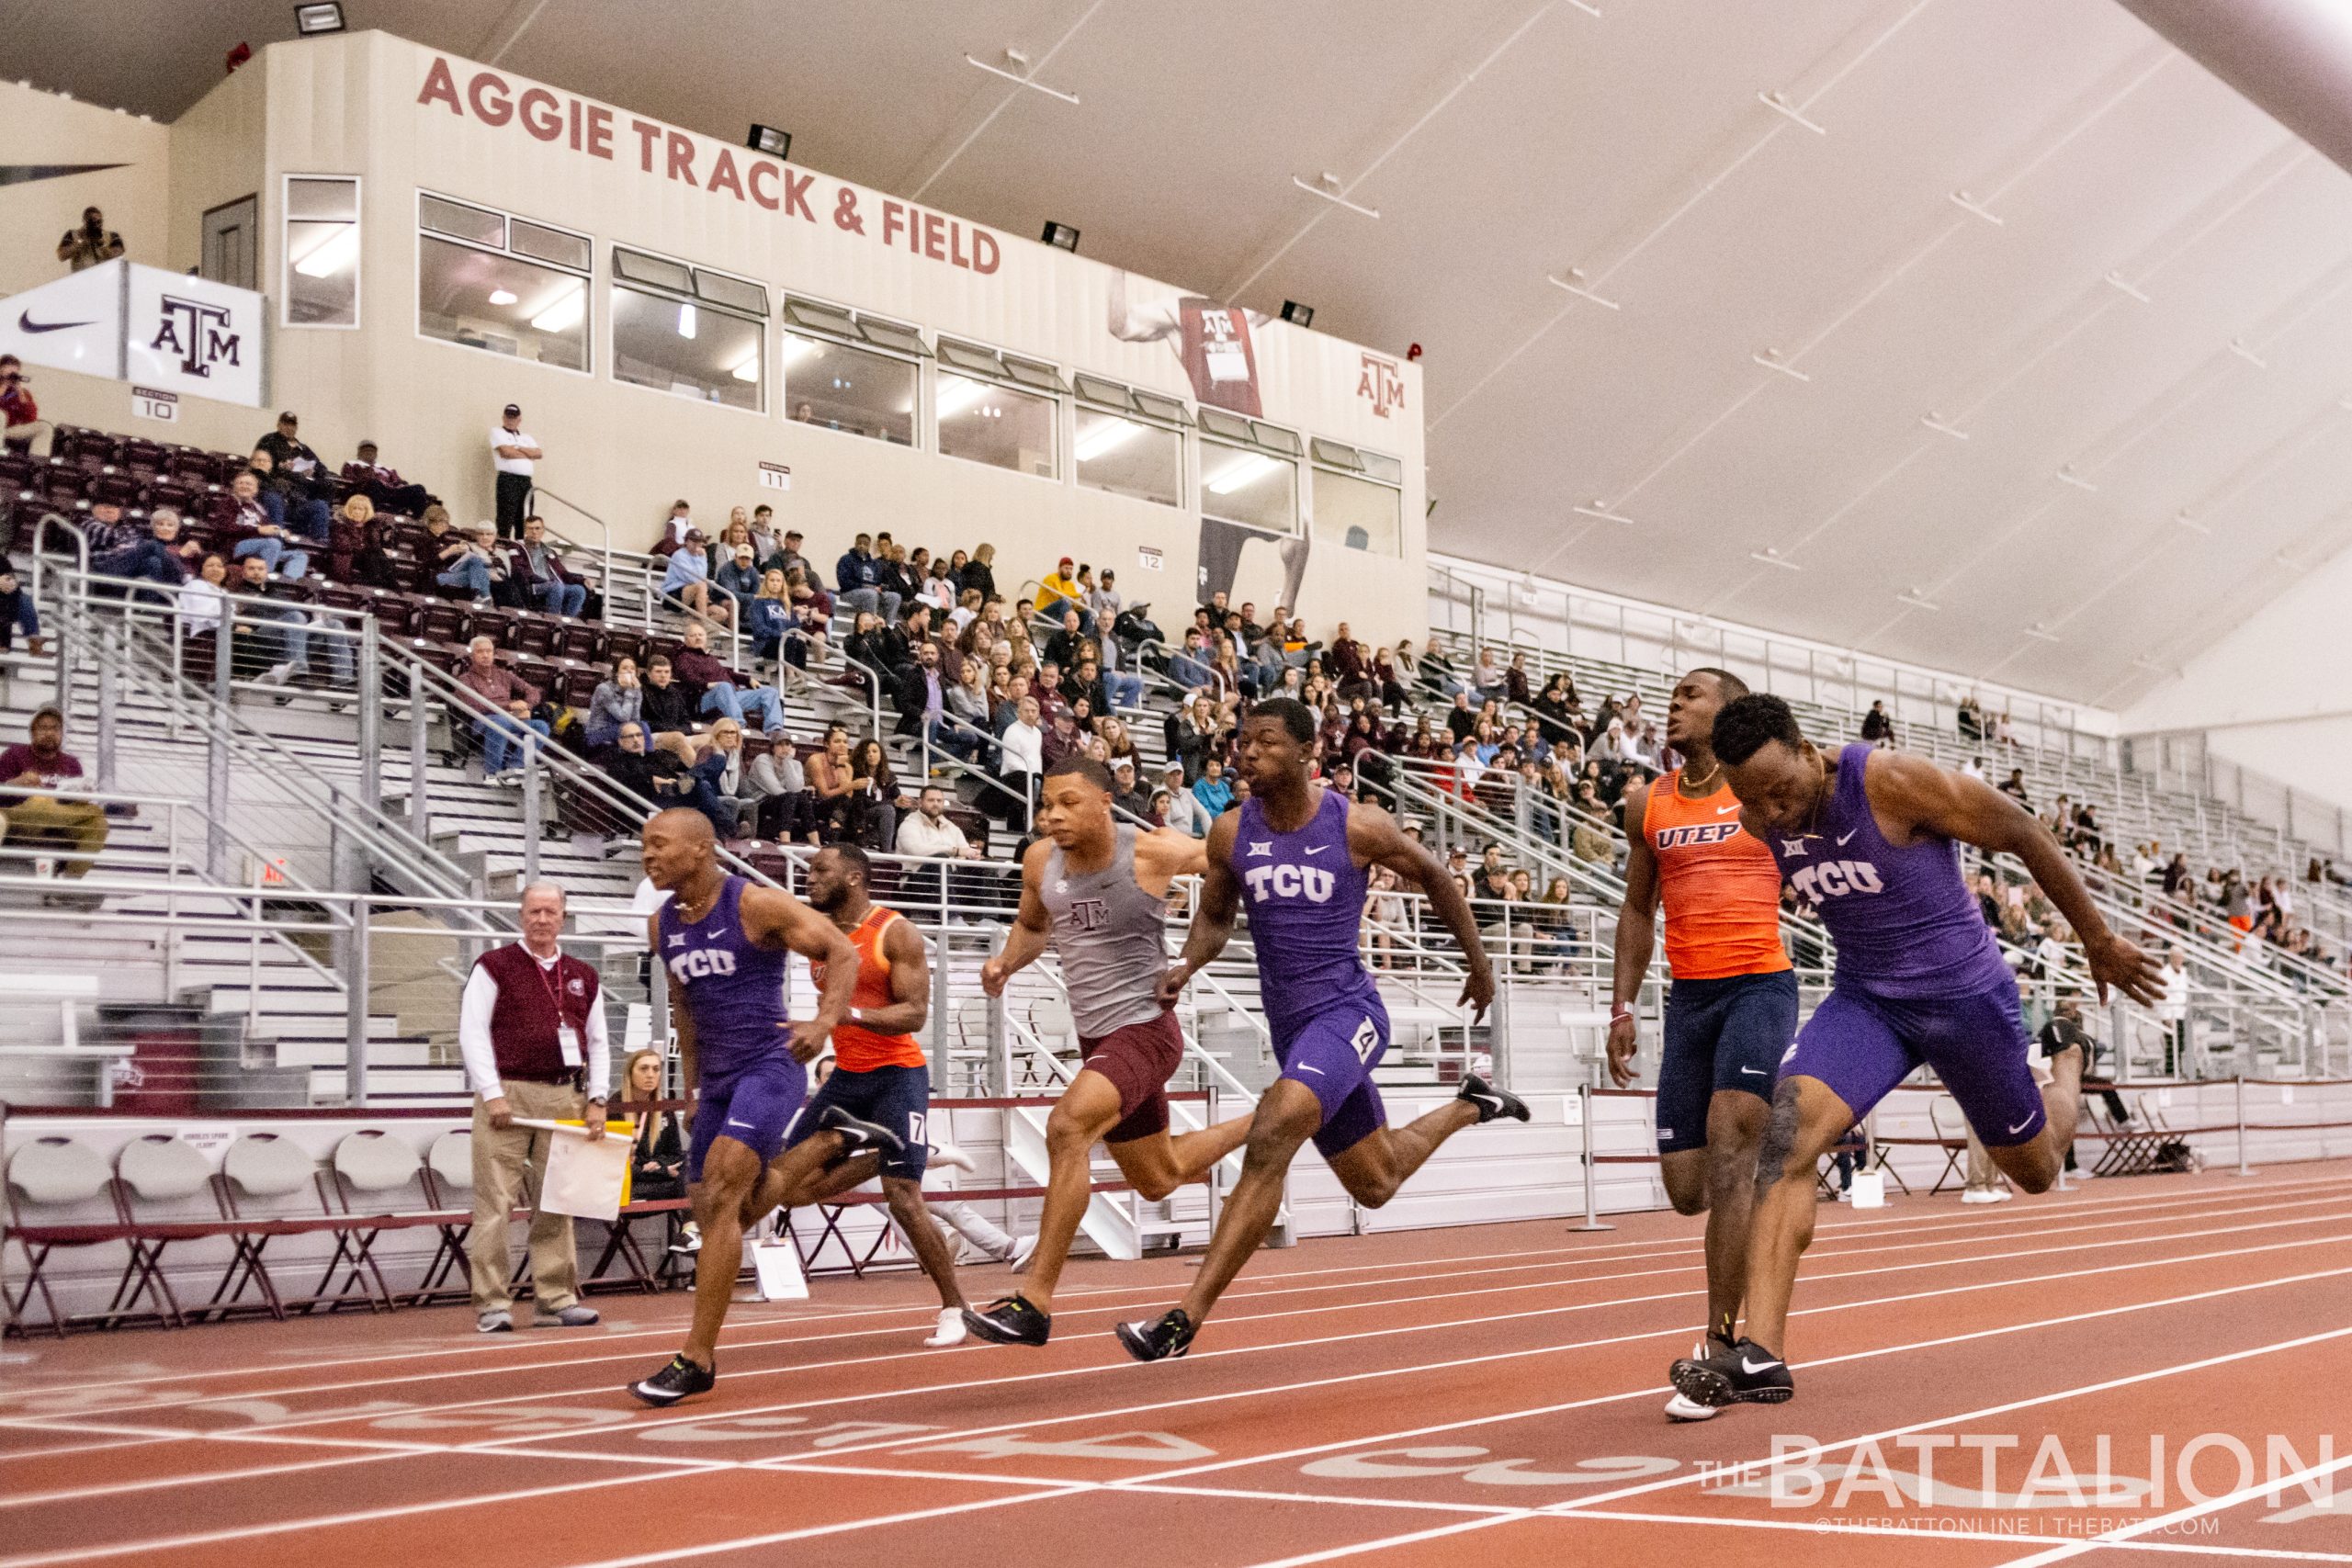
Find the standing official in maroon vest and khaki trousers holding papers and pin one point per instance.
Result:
(533, 1033)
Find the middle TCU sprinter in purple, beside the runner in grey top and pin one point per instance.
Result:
(1295, 855)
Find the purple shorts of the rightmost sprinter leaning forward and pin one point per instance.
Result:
(1864, 1045)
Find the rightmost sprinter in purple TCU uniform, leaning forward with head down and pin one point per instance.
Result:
(1871, 840)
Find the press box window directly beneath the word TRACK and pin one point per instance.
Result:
(688, 330)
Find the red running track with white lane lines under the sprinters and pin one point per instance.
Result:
(2106, 1376)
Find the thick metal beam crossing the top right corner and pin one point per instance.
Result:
(2290, 58)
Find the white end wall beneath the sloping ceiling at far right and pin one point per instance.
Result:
(2276, 695)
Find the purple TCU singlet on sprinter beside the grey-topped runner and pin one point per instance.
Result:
(1307, 911)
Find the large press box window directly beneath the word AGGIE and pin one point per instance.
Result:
(505, 286)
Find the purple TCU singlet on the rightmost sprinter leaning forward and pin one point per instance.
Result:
(1904, 920)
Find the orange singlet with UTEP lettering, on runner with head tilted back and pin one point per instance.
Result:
(1720, 885)
